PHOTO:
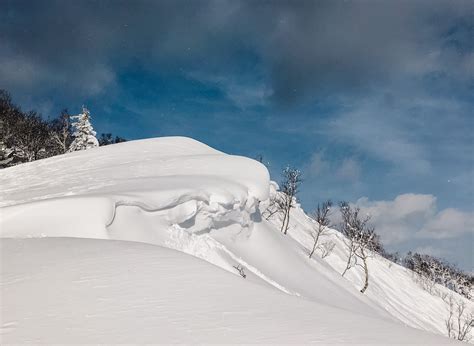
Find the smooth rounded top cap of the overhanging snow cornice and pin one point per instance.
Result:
(175, 166)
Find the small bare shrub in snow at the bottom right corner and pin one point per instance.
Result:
(459, 322)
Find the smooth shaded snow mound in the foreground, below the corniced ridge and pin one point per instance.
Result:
(60, 290)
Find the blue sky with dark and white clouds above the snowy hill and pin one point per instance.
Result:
(372, 100)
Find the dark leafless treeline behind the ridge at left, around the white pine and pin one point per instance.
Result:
(27, 136)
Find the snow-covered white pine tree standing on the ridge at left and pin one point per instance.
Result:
(84, 134)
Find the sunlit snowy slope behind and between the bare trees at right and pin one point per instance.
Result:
(391, 286)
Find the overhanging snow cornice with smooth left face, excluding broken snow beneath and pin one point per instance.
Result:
(179, 177)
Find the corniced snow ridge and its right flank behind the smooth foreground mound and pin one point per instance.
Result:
(181, 194)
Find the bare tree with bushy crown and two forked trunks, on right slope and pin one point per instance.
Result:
(361, 239)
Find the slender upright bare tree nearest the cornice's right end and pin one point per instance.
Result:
(289, 189)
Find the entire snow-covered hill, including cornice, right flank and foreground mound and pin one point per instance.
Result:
(183, 195)
